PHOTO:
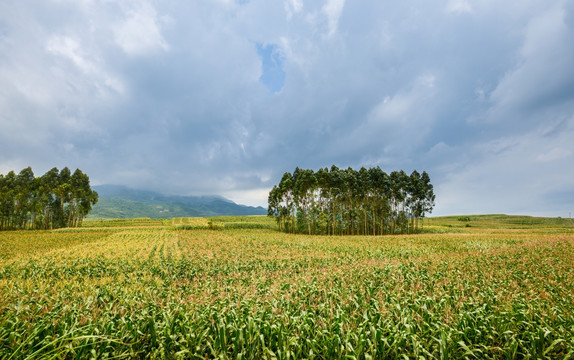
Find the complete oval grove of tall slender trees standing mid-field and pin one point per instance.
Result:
(349, 202)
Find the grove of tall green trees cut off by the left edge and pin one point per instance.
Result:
(56, 199)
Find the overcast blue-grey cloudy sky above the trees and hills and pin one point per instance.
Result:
(221, 97)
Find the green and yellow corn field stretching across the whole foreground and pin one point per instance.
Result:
(237, 288)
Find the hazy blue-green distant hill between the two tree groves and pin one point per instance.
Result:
(120, 202)
